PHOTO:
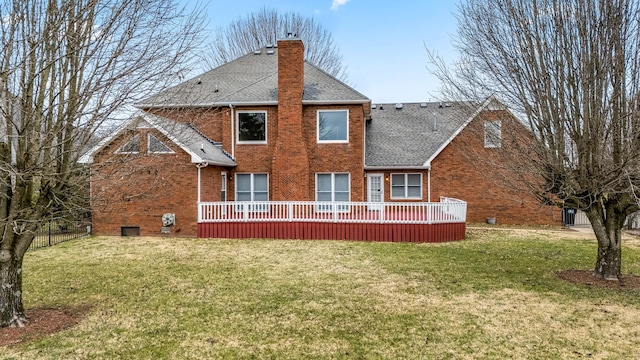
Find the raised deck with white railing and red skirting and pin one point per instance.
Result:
(397, 222)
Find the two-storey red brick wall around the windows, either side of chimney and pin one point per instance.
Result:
(259, 158)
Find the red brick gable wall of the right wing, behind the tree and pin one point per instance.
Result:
(465, 169)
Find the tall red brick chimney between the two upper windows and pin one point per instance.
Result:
(290, 163)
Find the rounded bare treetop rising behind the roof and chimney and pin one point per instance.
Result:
(266, 26)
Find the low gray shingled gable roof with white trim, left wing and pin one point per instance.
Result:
(201, 148)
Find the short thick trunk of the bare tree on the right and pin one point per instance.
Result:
(609, 236)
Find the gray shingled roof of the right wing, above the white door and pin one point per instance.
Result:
(406, 136)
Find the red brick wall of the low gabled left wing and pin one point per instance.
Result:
(136, 190)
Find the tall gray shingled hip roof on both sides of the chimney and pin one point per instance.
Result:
(251, 79)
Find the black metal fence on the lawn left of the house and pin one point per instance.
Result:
(57, 231)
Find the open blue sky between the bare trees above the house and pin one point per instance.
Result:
(382, 42)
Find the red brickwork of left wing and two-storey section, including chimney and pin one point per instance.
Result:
(137, 190)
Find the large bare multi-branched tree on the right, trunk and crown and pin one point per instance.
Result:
(572, 69)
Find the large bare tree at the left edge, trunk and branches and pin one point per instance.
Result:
(65, 67)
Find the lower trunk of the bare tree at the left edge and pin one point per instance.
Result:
(11, 309)
